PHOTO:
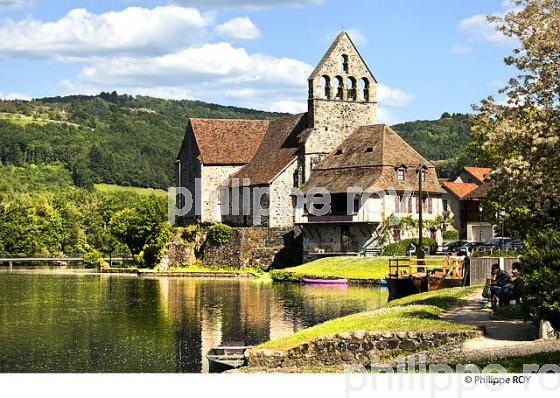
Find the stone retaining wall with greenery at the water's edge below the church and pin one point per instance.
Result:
(259, 248)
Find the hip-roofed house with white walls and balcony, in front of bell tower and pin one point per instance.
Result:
(372, 176)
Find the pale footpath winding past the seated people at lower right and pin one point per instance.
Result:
(503, 338)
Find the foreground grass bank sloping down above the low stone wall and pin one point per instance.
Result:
(412, 313)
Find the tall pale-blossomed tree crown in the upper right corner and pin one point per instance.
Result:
(519, 139)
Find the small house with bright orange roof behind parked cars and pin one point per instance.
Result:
(461, 201)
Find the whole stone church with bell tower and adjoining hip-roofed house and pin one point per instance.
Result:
(244, 167)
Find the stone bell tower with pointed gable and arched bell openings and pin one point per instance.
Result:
(342, 97)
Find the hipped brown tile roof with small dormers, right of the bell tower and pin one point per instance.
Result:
(368, 159)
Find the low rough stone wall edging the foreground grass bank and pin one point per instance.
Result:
(354, 348)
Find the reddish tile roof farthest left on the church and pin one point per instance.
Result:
(227, 141)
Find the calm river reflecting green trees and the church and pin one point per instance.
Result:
(83, 322)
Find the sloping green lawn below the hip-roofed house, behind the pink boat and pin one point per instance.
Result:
(337, 267)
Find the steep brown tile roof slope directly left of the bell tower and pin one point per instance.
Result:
(279, 146)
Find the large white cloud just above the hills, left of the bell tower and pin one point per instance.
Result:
(217, 72)
